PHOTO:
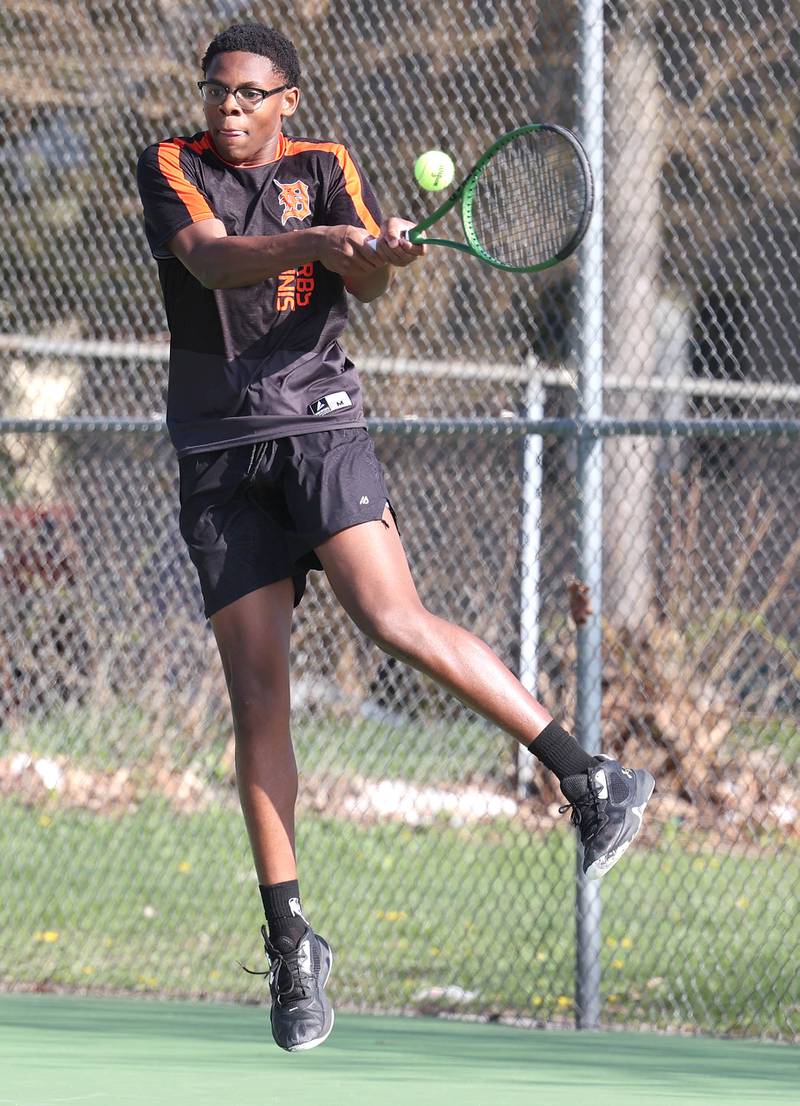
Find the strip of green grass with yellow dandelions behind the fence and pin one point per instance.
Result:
(152, 902)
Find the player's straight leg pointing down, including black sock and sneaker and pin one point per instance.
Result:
(254, 638)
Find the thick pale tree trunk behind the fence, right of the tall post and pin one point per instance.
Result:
(636, 114)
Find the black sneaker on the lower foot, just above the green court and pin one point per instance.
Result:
(302, 1014)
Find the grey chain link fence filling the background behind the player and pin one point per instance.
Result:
(432, 854)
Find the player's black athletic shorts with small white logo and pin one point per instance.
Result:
(254, 515)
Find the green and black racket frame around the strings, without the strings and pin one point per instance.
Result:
(465, 195)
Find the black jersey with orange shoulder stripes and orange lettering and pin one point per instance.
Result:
(247, 364)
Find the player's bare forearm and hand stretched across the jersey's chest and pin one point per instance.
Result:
(222, 262)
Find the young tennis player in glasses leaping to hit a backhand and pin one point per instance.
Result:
(259, 238)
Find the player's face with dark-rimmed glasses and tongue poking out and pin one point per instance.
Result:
(240, 137)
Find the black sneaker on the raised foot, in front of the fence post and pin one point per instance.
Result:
(608, 804)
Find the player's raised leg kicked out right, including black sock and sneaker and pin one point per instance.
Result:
(370, 576)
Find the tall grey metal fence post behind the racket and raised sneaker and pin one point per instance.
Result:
(590, 493)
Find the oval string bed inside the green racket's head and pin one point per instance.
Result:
(531, 202)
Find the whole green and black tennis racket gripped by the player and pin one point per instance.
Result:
(526, 204)
